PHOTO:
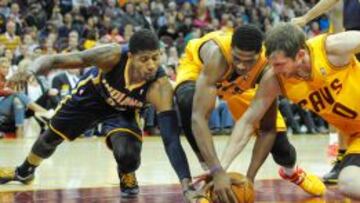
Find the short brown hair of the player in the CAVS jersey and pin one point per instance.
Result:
(285, 37)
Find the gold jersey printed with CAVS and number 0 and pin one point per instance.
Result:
(333, 92)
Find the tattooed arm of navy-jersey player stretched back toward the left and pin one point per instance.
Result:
(104, 57)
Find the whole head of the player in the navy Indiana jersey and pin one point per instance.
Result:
(144, 51)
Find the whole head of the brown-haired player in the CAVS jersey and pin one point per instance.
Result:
(285, 49)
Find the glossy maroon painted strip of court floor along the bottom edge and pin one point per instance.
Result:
(266, 191)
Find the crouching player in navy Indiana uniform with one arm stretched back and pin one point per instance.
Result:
(124, 80)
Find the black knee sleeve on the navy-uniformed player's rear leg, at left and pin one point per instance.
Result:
(46, 144)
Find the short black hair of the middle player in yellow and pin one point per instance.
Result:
(247, 38)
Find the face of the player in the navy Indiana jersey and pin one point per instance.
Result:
(147, 63)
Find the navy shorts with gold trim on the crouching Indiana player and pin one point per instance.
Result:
(85, 108)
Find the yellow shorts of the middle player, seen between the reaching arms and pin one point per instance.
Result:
(238, 104)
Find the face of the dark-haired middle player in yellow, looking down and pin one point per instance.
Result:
(243, 61)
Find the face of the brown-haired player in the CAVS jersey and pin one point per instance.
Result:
(283, 65)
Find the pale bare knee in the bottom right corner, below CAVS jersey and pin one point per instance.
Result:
(349, 181)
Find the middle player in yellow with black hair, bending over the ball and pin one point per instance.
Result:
(229, 65)
